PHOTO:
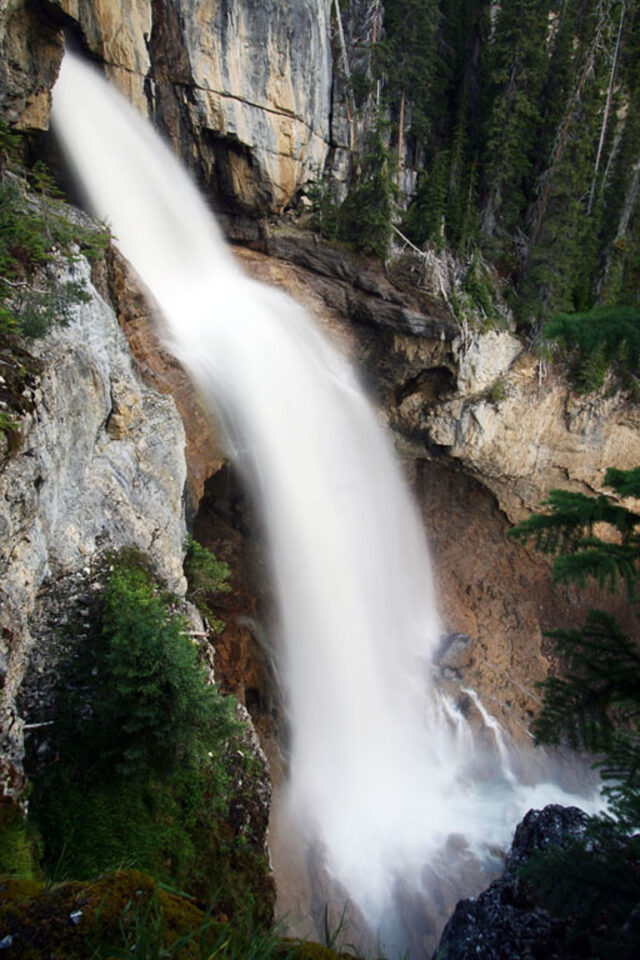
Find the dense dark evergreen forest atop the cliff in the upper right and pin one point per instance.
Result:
(523, 123)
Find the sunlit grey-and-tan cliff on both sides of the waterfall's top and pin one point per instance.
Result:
(241, 89)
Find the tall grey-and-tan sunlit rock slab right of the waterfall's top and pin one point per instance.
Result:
(257, 94)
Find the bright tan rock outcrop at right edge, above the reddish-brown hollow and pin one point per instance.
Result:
(536, 436)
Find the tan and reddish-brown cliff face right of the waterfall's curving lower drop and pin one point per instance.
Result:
(483, 437)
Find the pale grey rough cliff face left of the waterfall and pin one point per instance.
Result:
(100, 466)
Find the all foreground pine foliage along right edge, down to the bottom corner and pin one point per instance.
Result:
(595, 706)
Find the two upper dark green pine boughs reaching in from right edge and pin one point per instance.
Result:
(595, 705)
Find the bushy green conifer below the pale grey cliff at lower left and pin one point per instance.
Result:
(140, 746)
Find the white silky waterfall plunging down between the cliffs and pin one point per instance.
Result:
(383, 767)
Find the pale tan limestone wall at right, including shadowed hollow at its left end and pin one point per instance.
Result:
(514, 424)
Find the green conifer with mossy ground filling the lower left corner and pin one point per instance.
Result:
(146, 765)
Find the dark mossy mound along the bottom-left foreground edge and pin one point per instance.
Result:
(126, 914)
